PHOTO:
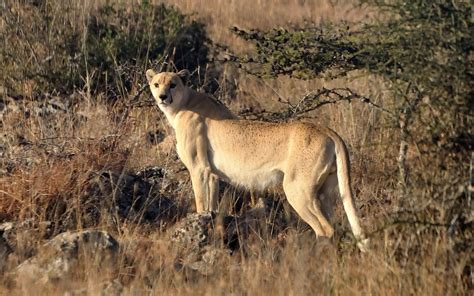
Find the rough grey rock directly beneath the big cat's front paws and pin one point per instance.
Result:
(203, 239)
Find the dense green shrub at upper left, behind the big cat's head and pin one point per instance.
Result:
(59, 46)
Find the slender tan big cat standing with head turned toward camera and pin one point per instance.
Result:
(308, 160)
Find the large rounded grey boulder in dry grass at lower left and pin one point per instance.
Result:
(57, 258)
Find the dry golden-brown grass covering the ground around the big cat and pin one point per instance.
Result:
(68, 146)
